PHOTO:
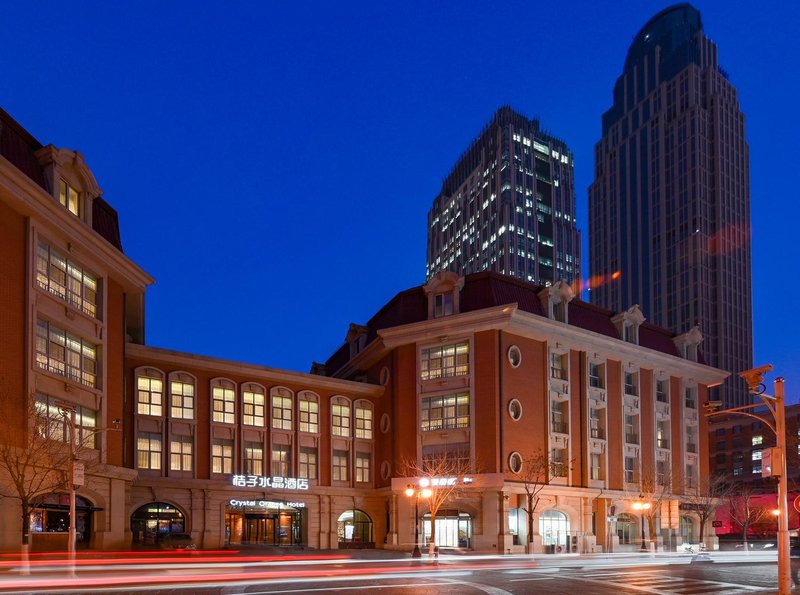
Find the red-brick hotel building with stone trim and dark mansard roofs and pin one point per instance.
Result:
(484, 369)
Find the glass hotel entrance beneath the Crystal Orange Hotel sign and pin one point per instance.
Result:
(264, 522)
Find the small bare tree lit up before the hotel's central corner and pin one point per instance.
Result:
(442, 474)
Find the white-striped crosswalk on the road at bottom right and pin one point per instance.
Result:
(661, 583)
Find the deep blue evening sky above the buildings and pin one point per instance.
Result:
(273, 162)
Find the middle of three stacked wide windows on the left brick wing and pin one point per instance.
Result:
(65, 354)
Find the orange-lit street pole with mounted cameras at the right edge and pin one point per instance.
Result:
(775, 405)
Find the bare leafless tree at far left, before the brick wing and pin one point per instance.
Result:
(34, 458)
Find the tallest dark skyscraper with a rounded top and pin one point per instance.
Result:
(669, 209)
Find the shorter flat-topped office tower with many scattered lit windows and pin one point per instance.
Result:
(508, 206)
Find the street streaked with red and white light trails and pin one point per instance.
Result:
(231, 573)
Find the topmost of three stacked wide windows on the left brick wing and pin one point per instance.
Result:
(58, 275)
